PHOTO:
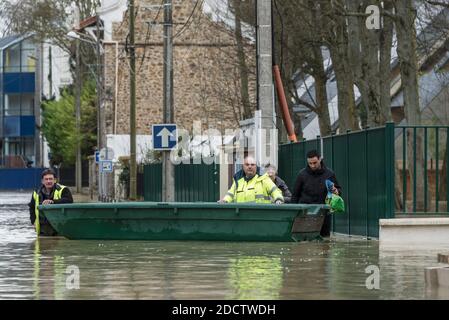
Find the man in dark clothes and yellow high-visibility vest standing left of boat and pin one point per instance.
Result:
(48, 193)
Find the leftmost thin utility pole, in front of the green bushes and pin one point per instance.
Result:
(78, 174)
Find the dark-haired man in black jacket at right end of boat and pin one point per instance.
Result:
(310, 186)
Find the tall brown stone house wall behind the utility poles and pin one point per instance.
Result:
(206, 73)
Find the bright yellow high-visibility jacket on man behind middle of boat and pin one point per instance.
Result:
(260, 189)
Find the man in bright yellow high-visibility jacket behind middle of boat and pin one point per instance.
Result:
(249, 186)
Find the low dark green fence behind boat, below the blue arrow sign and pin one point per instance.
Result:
(193, 182)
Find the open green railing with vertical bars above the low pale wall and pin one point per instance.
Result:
(423, 169)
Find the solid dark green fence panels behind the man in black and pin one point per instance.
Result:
(359, 160)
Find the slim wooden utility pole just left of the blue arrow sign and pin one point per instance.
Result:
(132, 114)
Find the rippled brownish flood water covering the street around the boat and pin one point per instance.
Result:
(332, 269)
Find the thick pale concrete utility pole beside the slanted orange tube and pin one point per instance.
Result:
(265, 89)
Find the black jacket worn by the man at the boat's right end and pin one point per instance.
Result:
(310, 186)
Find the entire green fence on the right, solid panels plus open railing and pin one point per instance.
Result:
(366, 163)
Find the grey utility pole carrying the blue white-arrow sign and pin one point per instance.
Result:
(168, 169)
